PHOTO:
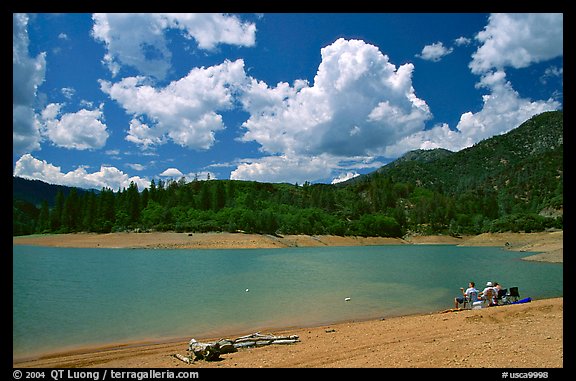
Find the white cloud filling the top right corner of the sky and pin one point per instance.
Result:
(518, 40)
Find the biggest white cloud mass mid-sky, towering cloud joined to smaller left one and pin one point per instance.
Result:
(359, 104)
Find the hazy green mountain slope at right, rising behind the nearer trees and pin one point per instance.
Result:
(533, 141)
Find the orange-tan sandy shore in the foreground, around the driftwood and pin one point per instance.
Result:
(450, 340)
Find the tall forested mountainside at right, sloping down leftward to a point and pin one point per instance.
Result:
(526, 164)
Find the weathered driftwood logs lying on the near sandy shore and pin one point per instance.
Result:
(212, 351)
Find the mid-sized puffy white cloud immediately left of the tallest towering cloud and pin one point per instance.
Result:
(185, 110)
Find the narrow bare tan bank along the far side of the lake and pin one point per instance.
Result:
(548, 245)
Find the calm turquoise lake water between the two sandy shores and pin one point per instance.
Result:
(65, 298)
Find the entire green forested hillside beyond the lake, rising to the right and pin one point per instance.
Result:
(511, 182)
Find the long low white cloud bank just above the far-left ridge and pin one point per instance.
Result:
(107, 177)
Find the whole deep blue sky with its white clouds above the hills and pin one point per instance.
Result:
(100, 100)
